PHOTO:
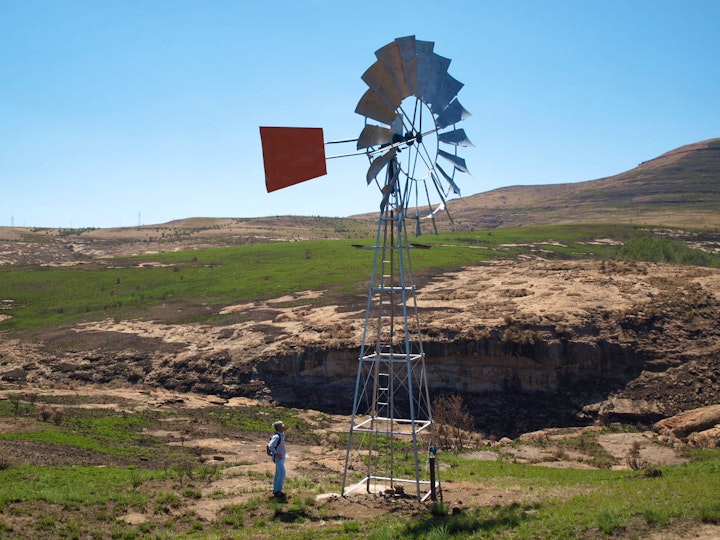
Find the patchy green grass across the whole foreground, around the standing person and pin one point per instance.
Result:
(61, 501)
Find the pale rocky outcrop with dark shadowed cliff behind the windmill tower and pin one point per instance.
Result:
(592, 340)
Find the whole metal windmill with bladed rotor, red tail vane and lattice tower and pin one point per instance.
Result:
(410, 110)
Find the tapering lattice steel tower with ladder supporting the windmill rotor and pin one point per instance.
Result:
(391, 415)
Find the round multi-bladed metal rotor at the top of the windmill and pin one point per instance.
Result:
(411, 114)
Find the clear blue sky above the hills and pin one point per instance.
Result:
(114, 113)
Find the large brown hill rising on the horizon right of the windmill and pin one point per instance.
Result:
(680, 188)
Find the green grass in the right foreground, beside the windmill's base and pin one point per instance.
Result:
(568, 503)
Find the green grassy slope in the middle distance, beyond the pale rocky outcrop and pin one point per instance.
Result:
(42, 297)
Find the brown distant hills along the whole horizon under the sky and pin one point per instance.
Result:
(679, 188)
